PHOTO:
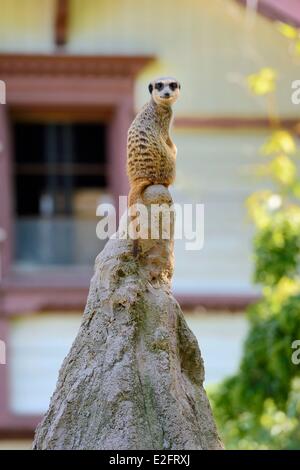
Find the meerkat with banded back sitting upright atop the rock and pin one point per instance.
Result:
(151, 154)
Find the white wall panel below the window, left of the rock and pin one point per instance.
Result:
(37, 347)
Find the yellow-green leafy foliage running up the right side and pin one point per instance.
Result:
(259, 407)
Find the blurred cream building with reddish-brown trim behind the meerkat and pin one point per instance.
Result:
(75, 73)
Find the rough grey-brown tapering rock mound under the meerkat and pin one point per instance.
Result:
(133, 377)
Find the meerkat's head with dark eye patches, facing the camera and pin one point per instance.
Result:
(164, 91)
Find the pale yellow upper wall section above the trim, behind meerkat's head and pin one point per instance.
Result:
(208, 45)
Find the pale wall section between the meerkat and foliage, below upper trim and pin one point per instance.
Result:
(218, 170)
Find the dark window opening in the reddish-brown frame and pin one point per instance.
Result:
(60, 178)
